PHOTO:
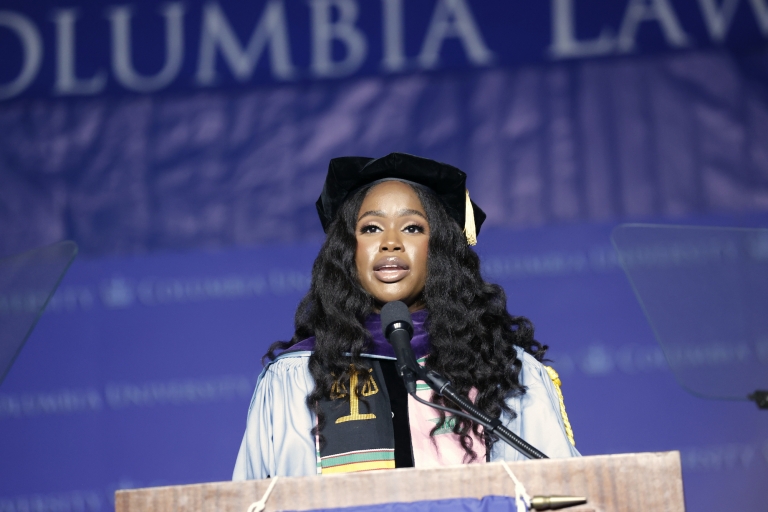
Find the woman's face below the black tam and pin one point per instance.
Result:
(392, 242)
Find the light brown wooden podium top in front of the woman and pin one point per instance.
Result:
(626, 482)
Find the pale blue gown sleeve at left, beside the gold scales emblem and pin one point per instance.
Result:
(277, 439)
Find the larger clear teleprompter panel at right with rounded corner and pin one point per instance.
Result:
(704, 290)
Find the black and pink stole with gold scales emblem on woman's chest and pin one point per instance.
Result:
(359, 435)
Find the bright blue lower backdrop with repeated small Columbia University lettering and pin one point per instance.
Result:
(141, 372)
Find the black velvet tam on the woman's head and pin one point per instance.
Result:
(349, 173)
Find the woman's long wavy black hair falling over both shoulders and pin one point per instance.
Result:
(473, 337)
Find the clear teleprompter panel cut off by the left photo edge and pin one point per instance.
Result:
(27, 282)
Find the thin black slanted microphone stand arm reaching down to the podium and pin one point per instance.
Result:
(442, 387)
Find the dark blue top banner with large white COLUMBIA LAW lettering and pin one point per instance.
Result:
(76, 48)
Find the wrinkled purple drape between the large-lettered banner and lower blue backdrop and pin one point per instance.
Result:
(602, 140)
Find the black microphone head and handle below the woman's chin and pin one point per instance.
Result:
(397, 326)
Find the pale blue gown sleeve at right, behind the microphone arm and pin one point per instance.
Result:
(539, 420)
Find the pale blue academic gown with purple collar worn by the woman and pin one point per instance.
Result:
(278, 442)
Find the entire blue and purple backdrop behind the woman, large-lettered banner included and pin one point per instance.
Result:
(183, 144)
